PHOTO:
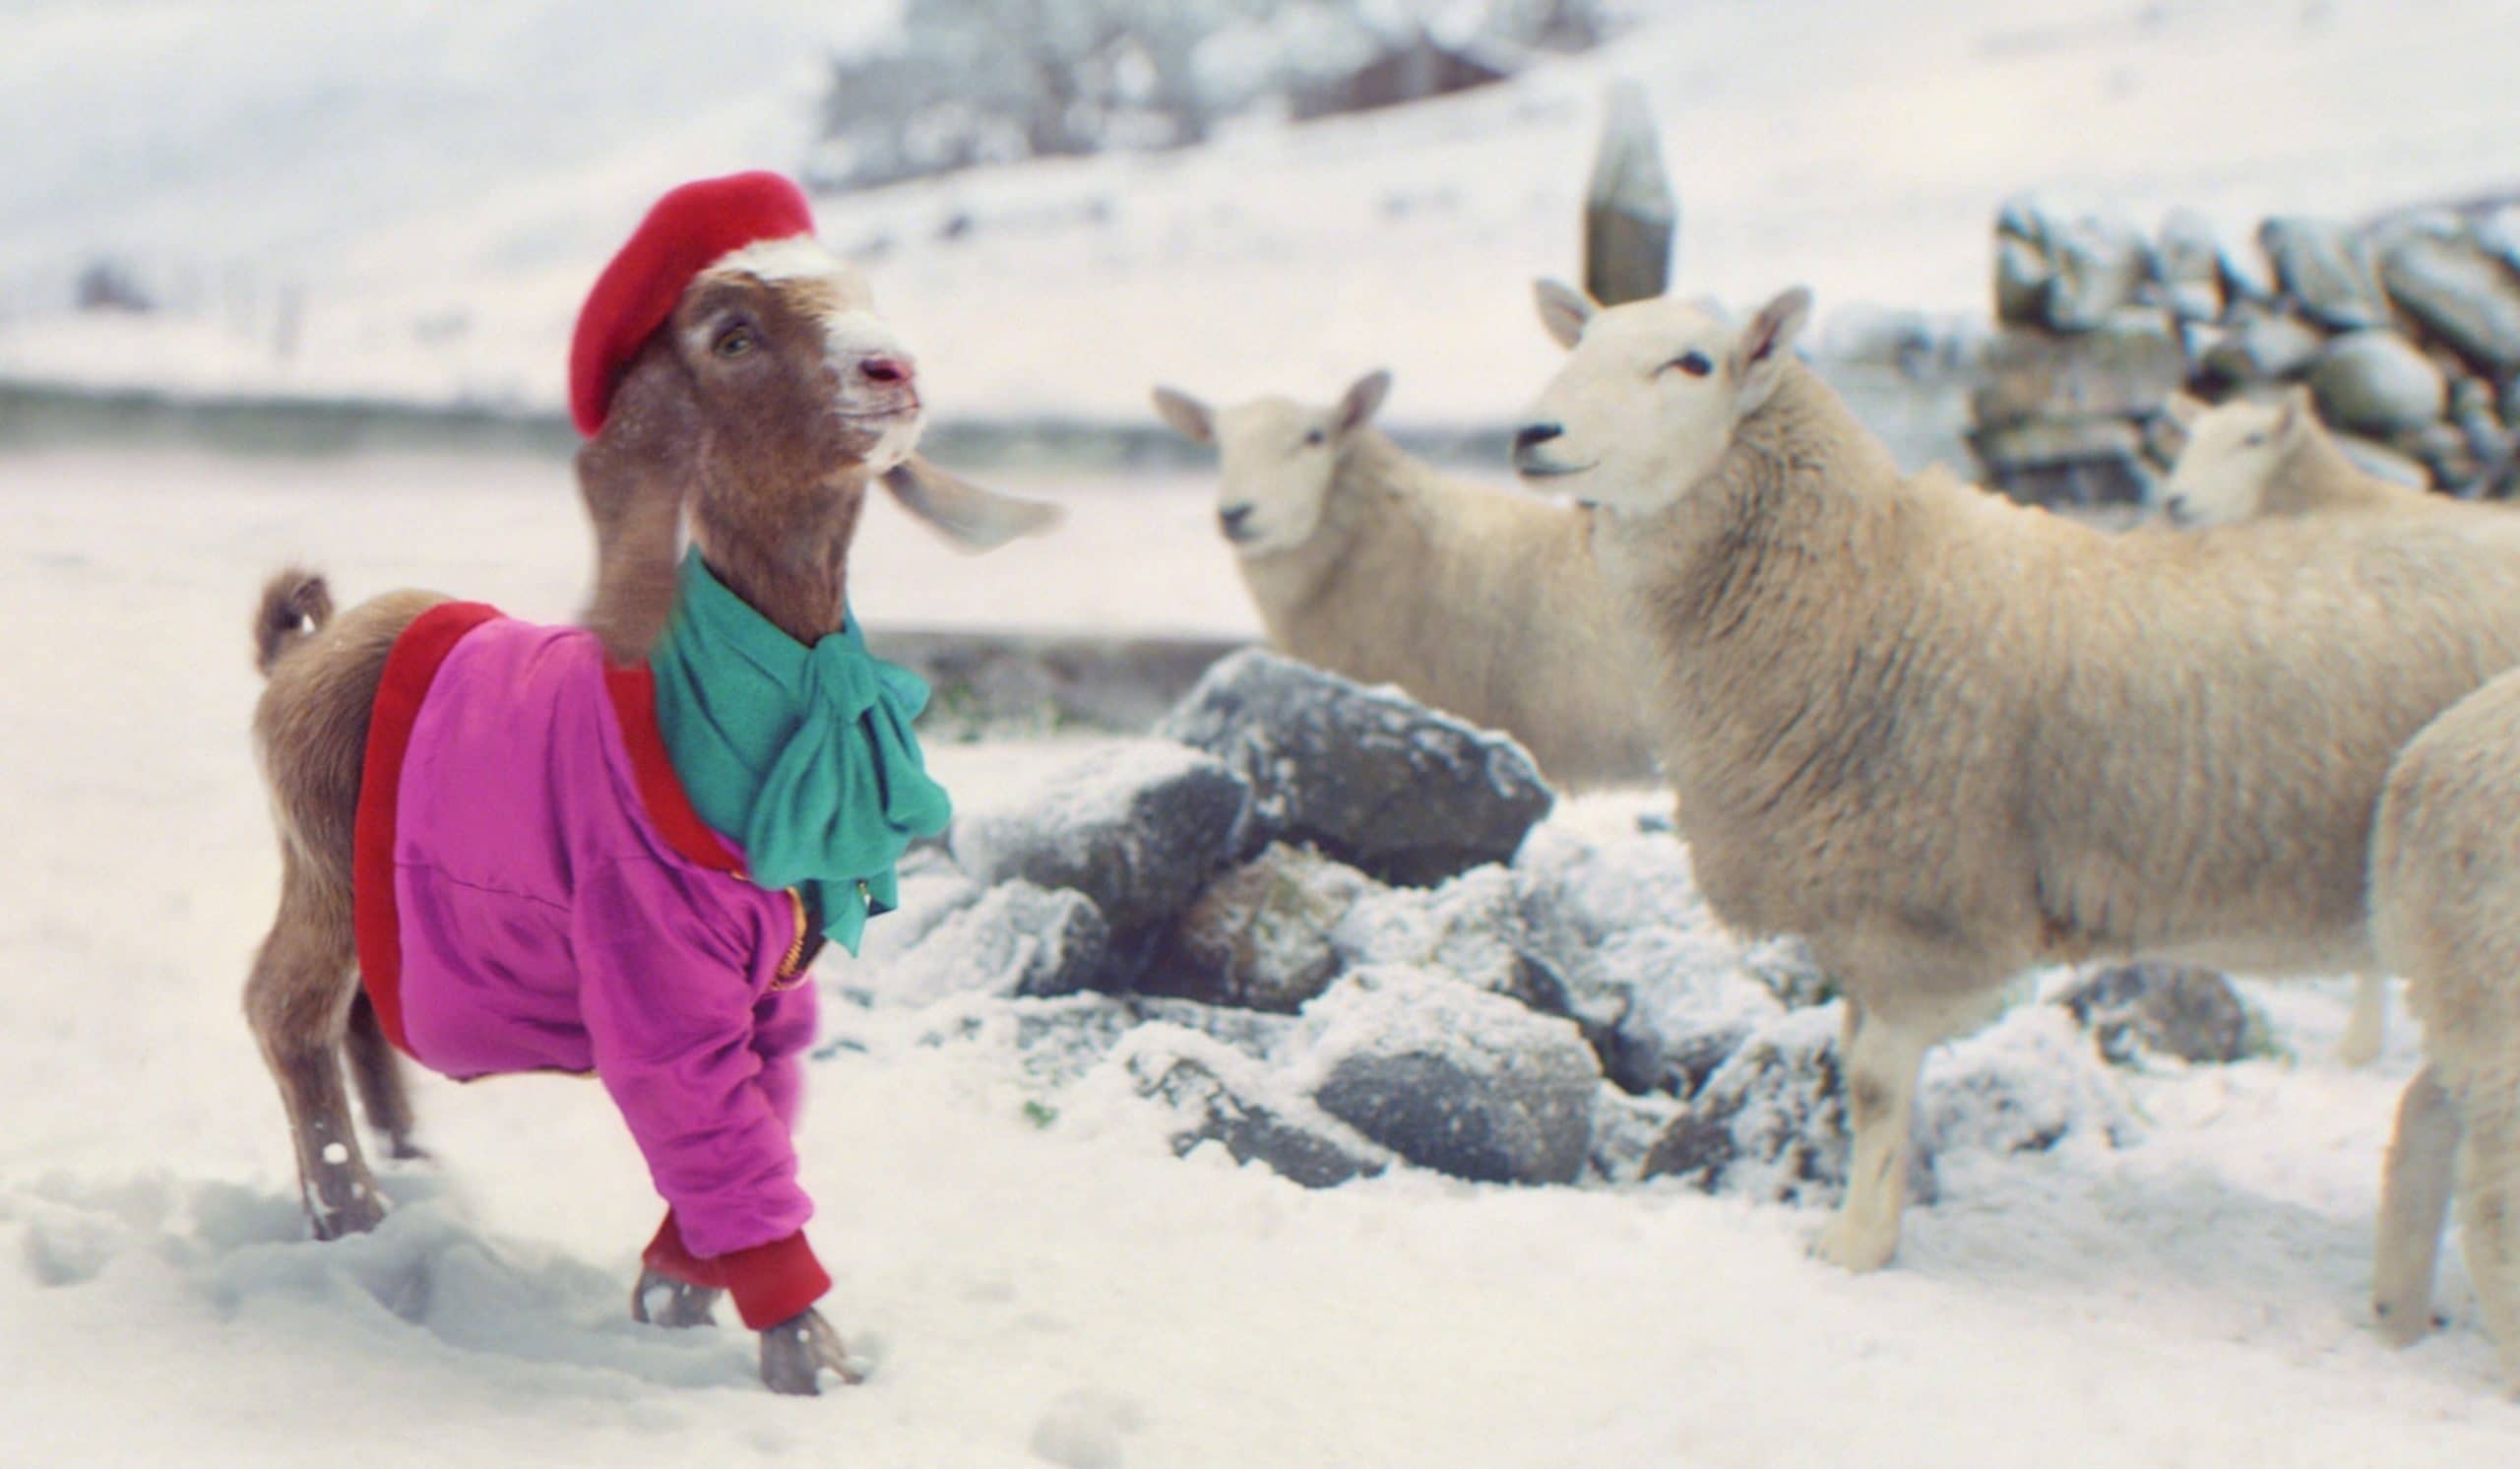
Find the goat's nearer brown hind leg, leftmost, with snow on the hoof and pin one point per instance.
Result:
(299, 1004)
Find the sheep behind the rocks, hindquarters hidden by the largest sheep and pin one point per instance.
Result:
(1475, 601)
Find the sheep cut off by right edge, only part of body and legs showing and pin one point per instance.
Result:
(2446, 913)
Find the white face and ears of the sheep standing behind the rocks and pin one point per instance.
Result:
(1276, 460)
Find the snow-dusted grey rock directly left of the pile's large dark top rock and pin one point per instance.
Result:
(1140, 828)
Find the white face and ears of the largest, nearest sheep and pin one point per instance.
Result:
(1649, 397)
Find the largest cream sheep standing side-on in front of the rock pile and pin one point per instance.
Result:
(1947, 737)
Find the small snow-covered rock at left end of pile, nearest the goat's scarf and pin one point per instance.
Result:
(1012, 941)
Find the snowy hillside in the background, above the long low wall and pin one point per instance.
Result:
(407, 200)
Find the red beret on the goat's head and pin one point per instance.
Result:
(682, 236)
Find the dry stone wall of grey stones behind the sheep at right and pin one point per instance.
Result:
(2405, 331)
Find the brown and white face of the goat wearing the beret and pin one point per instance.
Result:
(795, 369)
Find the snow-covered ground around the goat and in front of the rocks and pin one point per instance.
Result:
(1065, 1291)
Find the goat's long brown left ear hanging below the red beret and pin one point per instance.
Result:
(634, 480)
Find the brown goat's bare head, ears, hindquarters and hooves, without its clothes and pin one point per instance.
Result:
(757, 414)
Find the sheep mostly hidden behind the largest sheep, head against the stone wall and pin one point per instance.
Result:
(2274, 460)
